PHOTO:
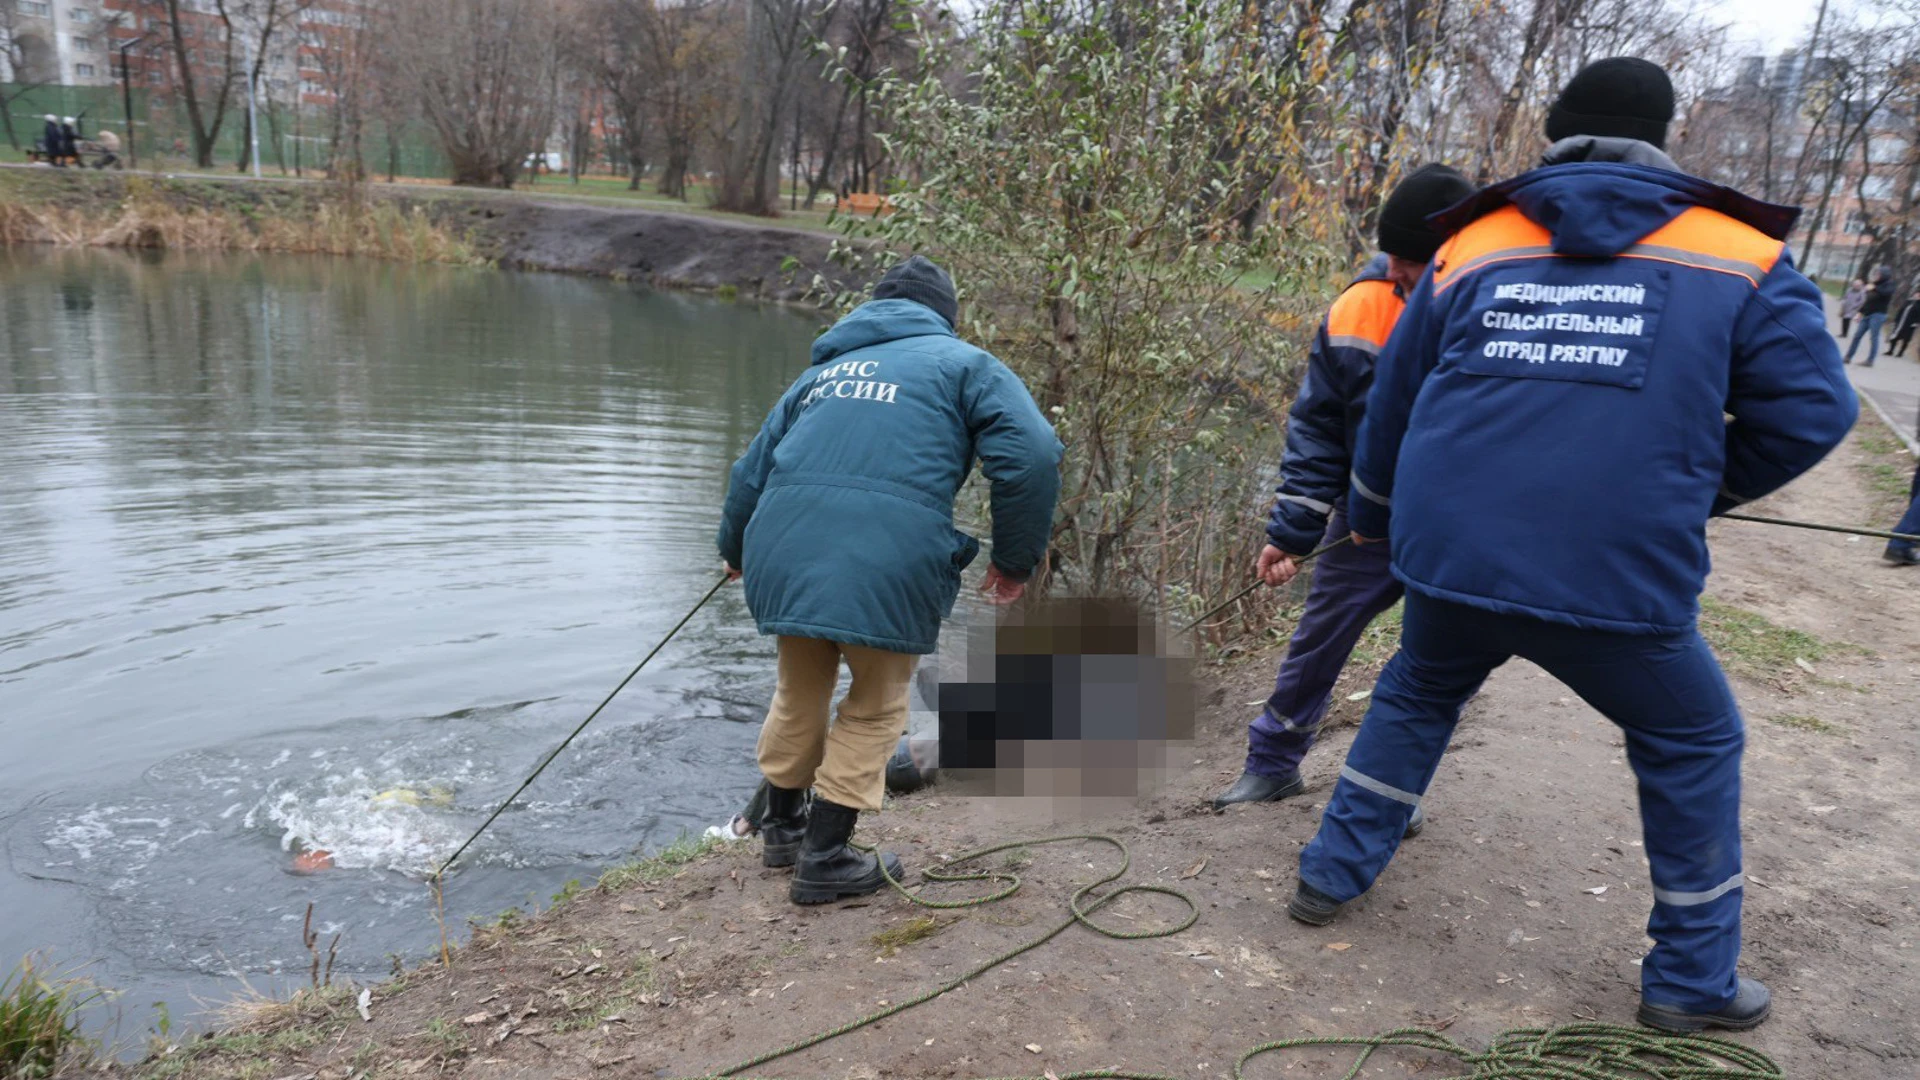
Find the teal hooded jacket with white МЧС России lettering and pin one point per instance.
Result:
(840, 514)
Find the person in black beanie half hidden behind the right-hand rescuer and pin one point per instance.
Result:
(1351, 585)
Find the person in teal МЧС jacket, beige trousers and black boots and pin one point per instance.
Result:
(840, 518)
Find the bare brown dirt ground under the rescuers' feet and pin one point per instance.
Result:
(1483, 923)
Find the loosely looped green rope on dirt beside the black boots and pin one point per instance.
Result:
(1082, 906)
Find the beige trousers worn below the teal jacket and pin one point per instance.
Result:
(846, 764)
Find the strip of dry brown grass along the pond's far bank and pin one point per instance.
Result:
(80, 210)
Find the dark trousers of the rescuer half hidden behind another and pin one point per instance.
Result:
(1353, 585)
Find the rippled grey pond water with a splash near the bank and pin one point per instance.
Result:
(327, 554)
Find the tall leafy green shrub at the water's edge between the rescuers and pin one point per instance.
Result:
(1134, 228)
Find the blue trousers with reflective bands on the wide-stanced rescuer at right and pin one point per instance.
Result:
(1683, 739)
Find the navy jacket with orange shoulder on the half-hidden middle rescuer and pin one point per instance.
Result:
(1326, 418)
